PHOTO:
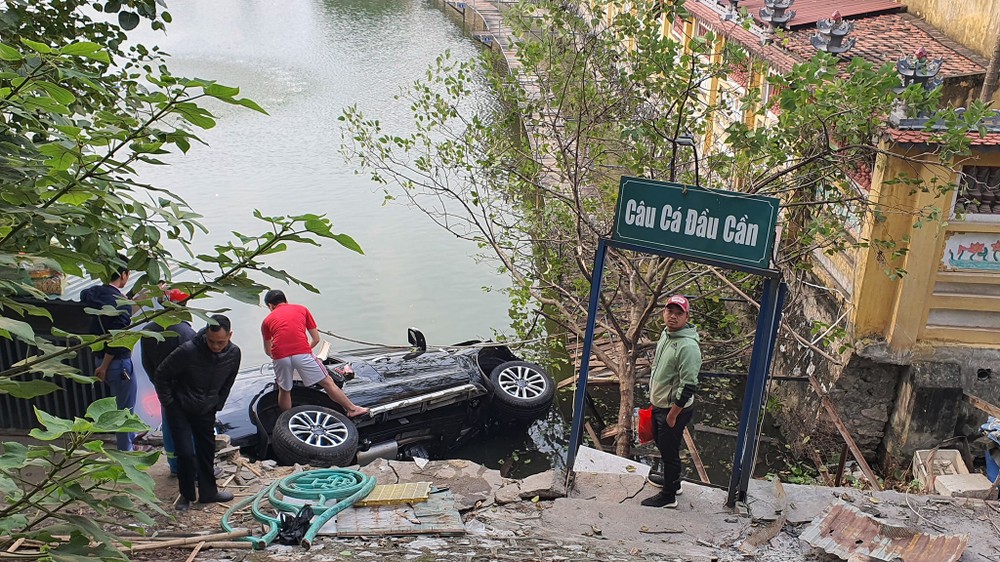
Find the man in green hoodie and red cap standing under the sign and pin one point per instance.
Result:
(671, 392)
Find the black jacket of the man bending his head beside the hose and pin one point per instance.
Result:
(195, 380)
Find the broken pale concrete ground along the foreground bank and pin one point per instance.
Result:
(600, 518)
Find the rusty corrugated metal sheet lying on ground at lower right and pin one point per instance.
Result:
(845, 531)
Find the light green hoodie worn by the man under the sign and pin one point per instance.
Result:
(675, 368)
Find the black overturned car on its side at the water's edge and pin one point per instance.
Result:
(421, 403)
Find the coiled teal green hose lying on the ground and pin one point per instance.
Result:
(314, 486)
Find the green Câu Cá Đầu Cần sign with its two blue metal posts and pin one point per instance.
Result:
(726, 229)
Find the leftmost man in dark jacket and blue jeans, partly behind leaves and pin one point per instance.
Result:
(113, 365)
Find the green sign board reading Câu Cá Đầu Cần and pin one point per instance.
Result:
(692, 221)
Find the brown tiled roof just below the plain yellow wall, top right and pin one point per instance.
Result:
(888, 37)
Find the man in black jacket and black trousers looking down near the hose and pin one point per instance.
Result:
(193, 384)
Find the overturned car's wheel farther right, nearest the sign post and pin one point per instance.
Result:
(521, 390)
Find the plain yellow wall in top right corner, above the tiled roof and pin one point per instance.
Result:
(973, 23)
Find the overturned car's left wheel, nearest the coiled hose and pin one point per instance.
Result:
(314, 435)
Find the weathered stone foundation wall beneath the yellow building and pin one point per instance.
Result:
(892, 404)
